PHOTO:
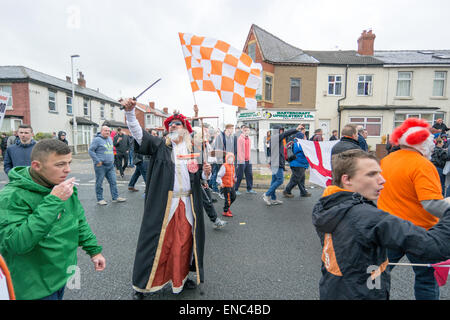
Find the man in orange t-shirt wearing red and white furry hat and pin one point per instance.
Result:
(413, 192)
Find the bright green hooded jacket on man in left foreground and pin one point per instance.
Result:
(40, 235)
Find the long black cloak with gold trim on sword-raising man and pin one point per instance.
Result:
(158, 195)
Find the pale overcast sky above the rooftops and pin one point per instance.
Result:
(124, 46)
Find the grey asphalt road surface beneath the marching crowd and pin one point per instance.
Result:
(263, 253)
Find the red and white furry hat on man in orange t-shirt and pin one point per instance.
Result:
(414, 133)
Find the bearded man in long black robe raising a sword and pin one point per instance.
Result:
(172, 235)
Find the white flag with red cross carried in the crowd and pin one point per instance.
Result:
(318, 155)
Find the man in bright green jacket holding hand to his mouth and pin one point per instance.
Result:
(42, 223)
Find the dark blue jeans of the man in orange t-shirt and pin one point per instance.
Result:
(425, 285)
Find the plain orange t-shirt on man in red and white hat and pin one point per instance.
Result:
(410, 178)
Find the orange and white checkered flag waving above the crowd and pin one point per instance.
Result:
(214, 65)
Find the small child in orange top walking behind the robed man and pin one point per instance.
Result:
(226, 177)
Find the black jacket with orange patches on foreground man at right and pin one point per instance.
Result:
(355, 235)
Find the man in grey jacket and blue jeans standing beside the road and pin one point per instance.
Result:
(102, 154)
